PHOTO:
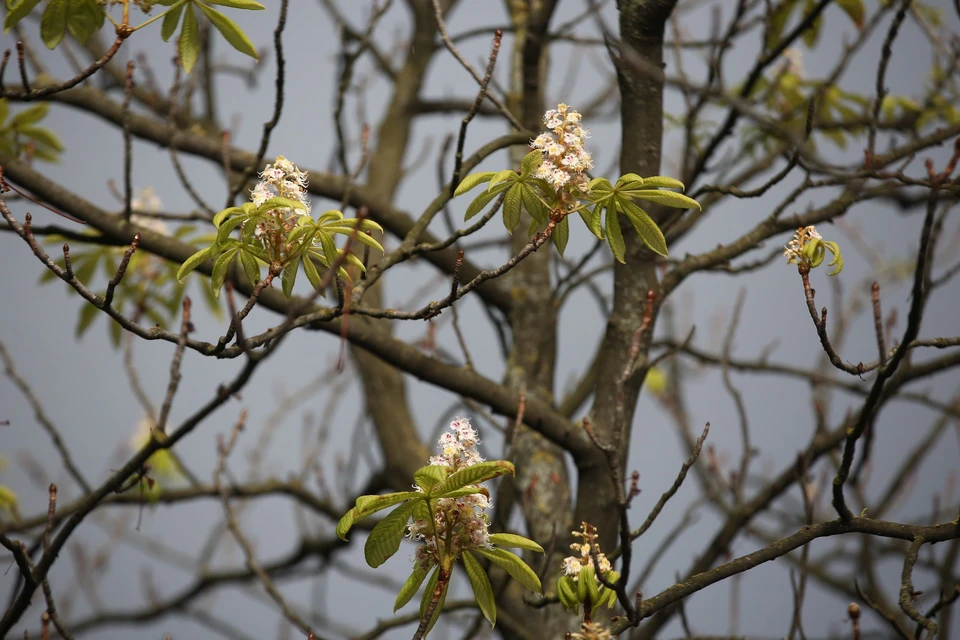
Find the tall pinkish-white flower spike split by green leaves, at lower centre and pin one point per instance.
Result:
(465, 517)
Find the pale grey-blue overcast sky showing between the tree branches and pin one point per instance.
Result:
(84, 390)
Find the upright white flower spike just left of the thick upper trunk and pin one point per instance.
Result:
(565, 161)
